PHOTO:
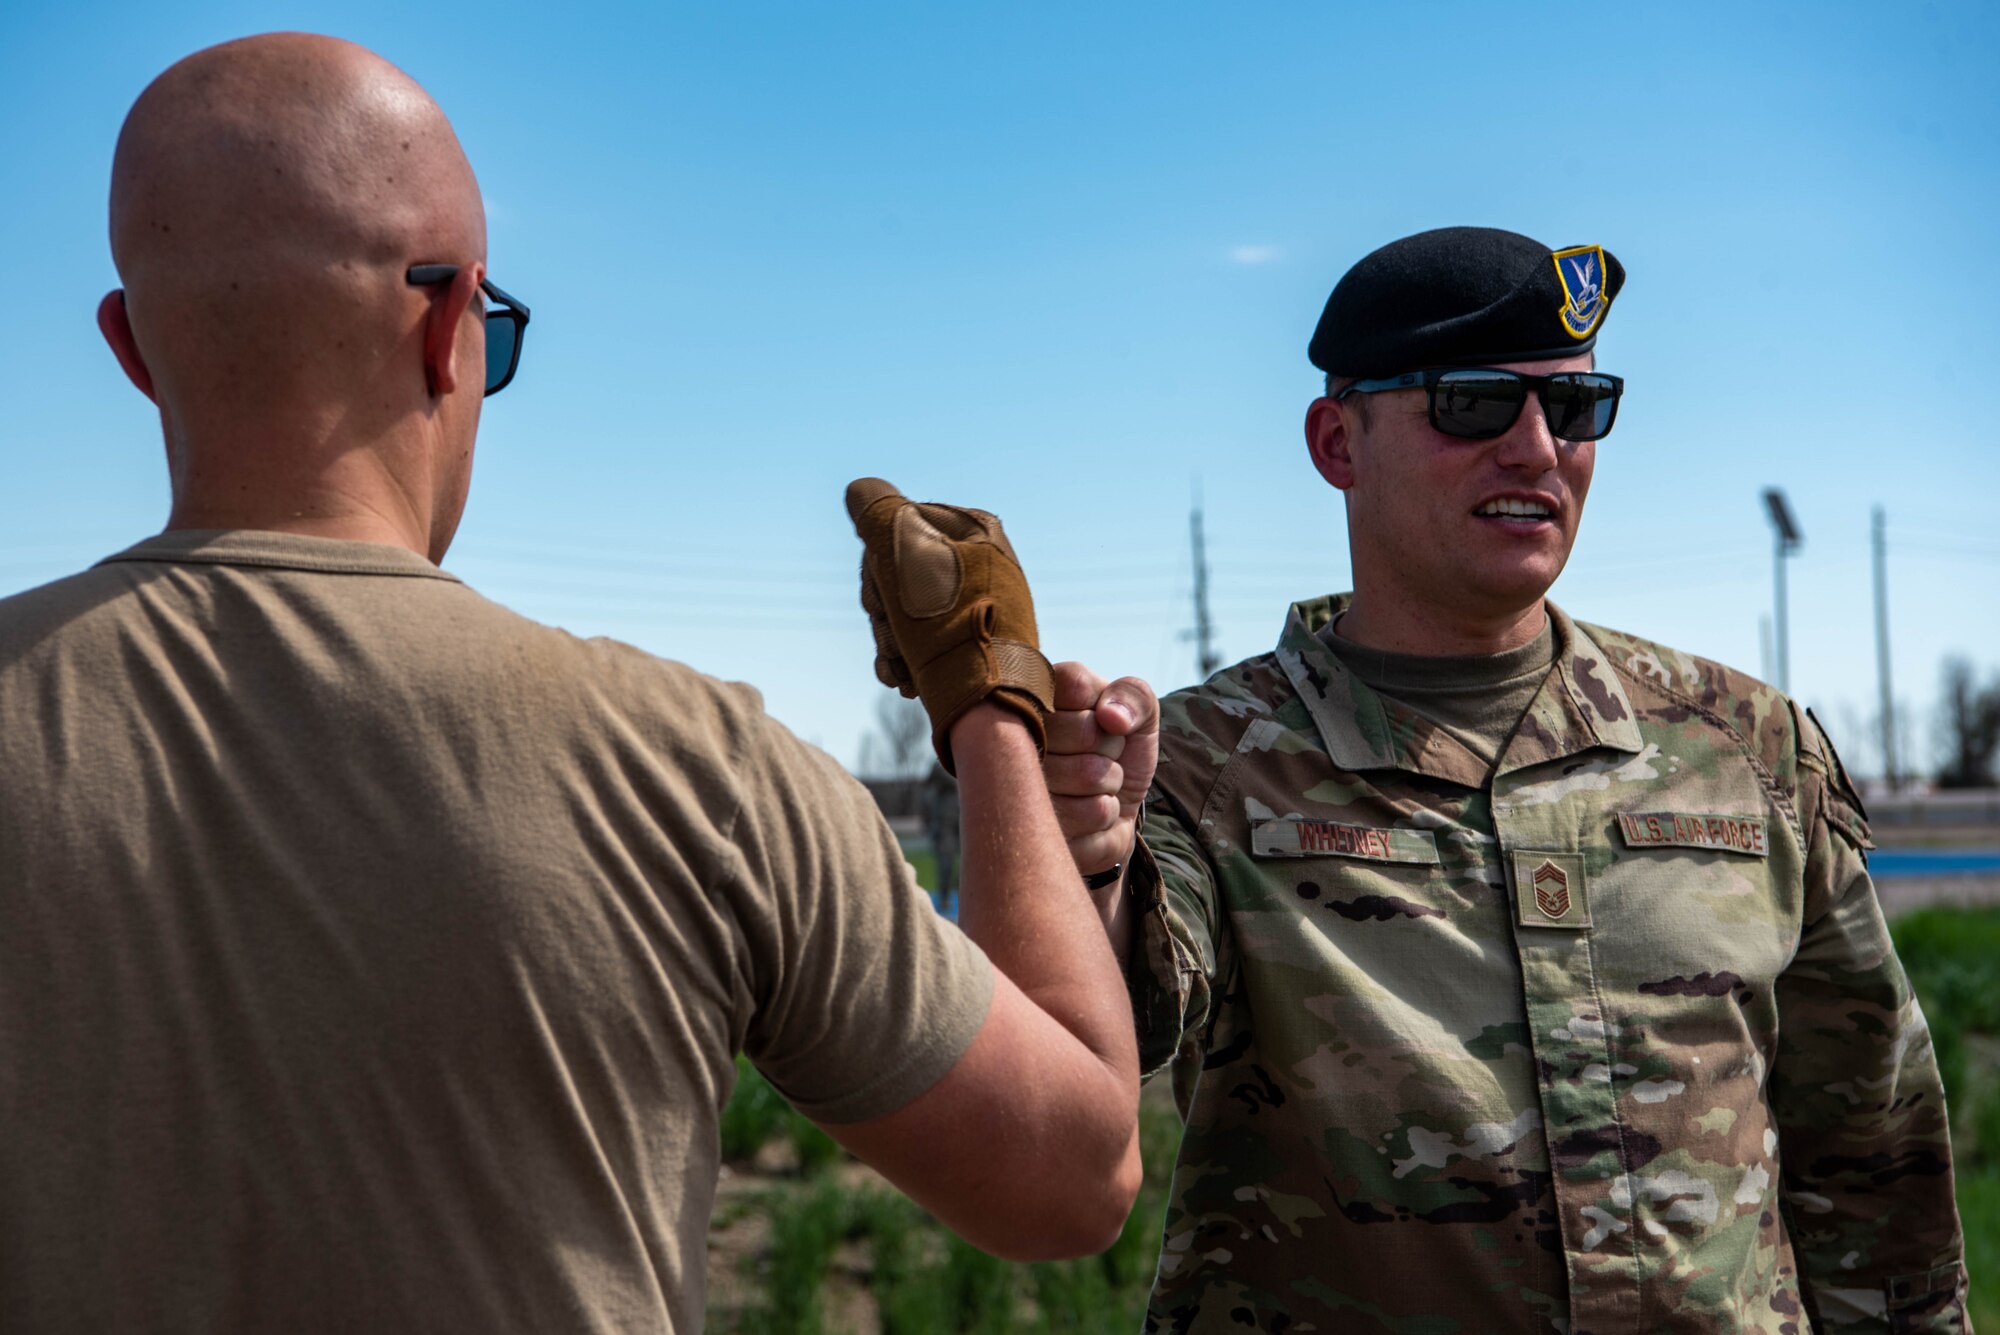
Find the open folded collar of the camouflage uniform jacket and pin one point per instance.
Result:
(1579, 708)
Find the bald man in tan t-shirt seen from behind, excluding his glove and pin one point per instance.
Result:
(373, 958)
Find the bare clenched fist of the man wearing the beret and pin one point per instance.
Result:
(1103, 748)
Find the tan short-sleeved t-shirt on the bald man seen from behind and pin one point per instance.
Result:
(373, 958)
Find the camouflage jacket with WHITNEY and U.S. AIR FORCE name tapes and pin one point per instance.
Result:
(1603, 1038)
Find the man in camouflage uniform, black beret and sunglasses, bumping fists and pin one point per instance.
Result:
(1513, 974)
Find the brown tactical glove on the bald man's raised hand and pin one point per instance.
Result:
(951, 611)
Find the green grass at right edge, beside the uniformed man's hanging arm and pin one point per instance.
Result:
(1953, 958)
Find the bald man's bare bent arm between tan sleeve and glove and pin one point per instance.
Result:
(1043, 1156)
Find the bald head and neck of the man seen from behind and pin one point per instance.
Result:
(269, 199)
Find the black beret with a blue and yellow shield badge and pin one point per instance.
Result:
(1465, 297)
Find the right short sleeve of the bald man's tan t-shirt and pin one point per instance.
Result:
(863, 996)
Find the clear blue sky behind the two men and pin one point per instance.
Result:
(1063, 263)
